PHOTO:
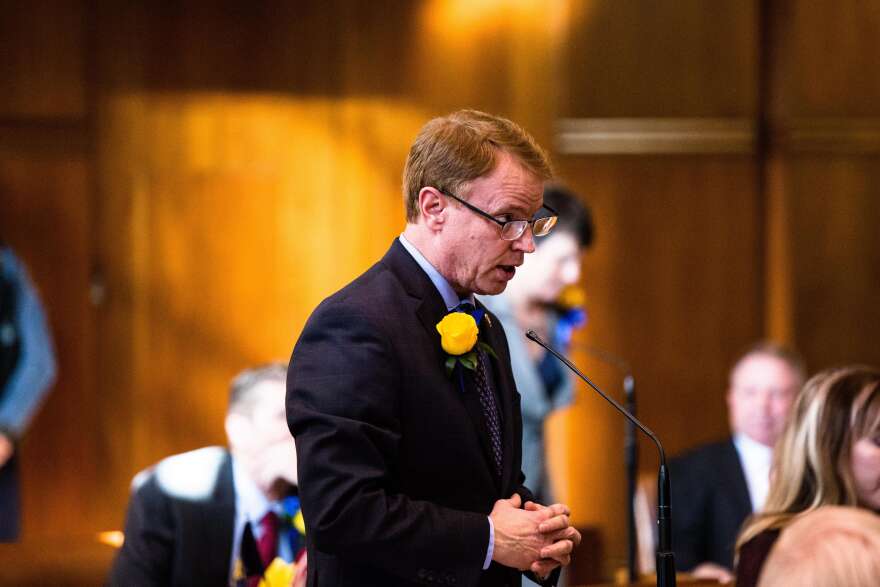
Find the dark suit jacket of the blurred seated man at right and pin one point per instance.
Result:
(710, 501)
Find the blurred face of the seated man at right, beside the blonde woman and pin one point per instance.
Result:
(762, 390)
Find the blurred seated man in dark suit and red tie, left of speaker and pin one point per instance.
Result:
(214, 516)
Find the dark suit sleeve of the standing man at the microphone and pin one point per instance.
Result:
(342, 408)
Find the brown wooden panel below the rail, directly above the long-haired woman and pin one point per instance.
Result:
(832, 205)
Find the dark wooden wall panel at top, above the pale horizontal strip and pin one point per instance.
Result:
(672, 59)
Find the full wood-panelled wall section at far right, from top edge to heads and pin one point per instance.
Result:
(823, 184)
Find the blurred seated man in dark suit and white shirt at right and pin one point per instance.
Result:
(715, 487)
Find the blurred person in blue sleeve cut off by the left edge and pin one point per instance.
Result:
(27, 371)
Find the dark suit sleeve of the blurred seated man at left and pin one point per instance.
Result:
(144, 560)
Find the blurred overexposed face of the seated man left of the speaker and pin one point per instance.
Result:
(262, 441)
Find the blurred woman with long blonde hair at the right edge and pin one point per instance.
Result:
(828, 455)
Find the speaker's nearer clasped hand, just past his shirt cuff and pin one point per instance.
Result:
(518, 539)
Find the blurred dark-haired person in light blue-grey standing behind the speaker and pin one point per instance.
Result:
(532, 302)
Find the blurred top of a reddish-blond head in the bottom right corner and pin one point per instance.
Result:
(830, 547)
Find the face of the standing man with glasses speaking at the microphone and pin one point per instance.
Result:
(477, 259)
